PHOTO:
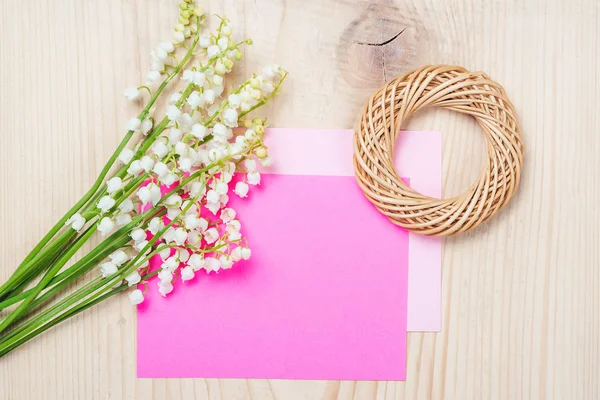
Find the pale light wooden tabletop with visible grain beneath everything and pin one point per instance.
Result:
(521, 295)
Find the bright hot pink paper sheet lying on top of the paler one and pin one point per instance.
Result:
(323, 296)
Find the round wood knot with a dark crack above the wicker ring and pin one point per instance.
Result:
(383, 42)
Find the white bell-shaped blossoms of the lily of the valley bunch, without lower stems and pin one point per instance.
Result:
(171, 195)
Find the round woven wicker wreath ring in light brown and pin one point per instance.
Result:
(456, 89)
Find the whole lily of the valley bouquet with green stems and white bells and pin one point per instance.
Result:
(163, 193)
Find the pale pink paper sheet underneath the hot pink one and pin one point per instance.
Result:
(419, 157)
